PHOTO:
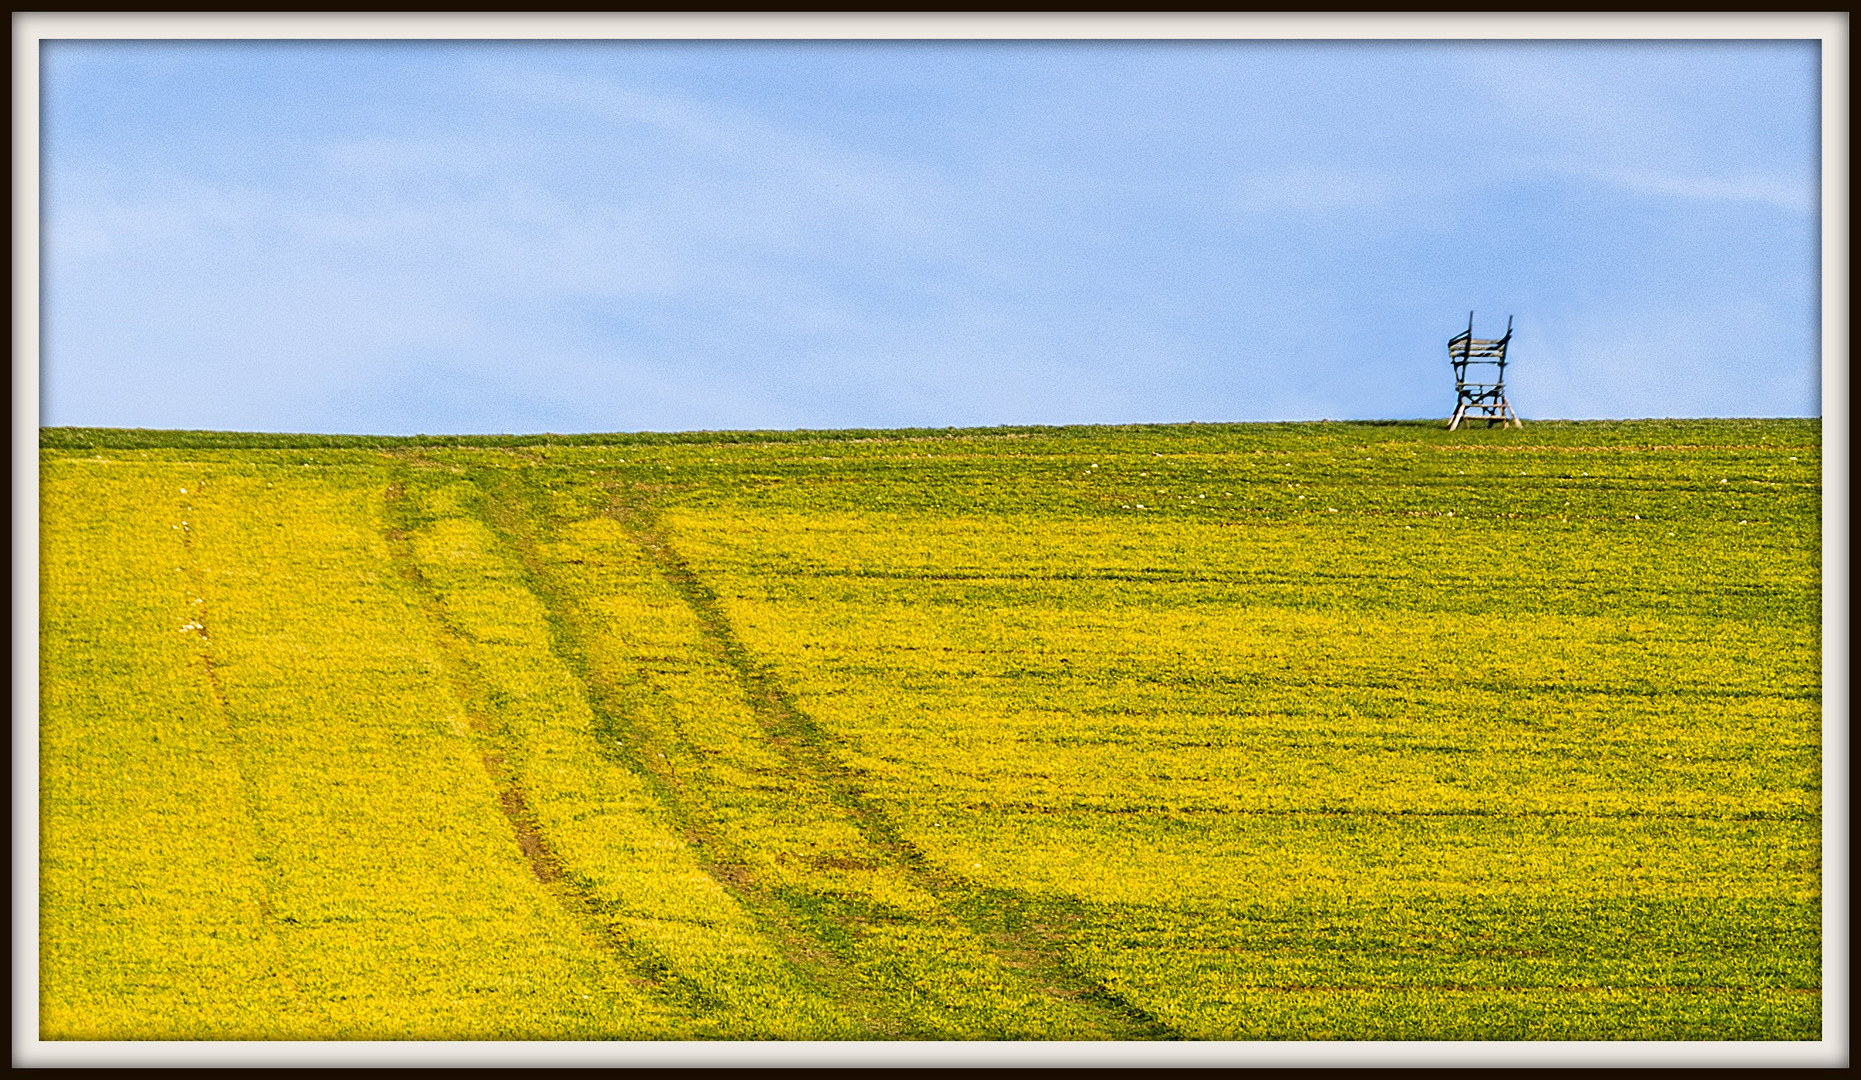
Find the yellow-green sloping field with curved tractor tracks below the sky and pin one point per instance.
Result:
(1160, 733)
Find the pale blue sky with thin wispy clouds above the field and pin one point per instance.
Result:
(578, 237)
